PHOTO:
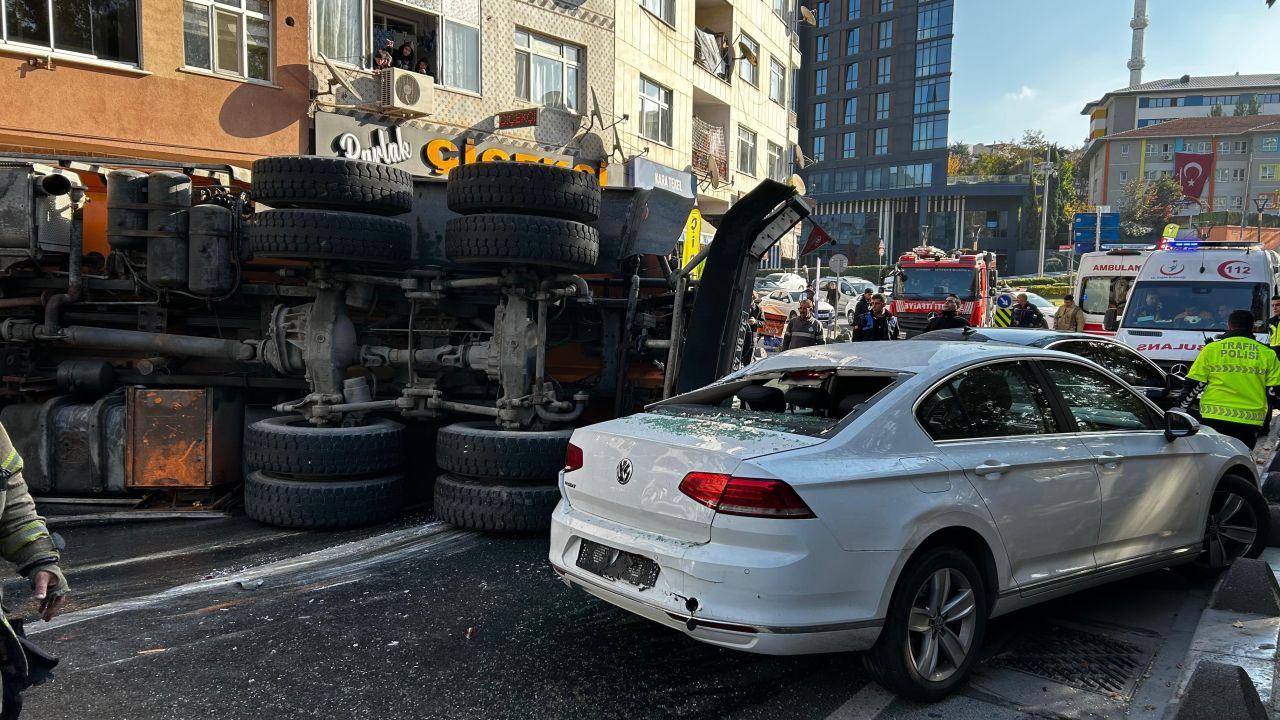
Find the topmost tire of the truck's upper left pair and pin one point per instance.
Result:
(336, 184)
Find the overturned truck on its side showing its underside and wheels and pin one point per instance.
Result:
(340, 340)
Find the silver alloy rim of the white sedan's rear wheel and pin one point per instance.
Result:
(941, 626)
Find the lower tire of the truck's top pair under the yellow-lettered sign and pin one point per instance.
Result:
(522, 239)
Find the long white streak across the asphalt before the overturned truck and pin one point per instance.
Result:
(328, 563)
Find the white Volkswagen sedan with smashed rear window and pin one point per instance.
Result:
(890, 498)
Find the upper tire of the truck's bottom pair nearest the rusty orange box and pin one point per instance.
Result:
(292, 446)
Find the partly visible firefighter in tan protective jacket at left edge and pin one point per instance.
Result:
(26, 543)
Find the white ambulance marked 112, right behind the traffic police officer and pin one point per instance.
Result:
(1182, 299)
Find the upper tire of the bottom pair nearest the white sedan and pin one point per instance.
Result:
(481, 450)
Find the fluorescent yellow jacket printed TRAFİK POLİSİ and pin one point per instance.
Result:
(1236, 372)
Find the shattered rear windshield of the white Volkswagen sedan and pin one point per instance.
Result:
(808, 403)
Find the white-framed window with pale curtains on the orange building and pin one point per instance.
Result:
(231, 38)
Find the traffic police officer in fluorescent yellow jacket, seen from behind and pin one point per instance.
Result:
(1231, 379)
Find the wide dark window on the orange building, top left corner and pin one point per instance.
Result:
(108, 31)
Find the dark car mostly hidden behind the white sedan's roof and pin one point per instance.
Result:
(1113, 356)
